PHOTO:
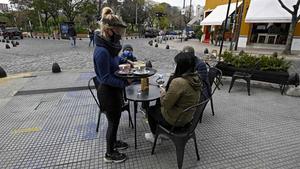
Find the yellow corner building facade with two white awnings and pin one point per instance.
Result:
(264, 24)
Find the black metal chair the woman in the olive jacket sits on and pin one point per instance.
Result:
(180, 136)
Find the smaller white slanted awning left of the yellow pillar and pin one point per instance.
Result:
(218, 15)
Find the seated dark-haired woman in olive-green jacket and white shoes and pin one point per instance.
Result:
(182, 91)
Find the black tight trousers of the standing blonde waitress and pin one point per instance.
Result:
(111, 102)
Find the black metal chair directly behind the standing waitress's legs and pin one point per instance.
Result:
(124, 107)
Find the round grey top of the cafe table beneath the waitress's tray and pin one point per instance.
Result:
(134, 93)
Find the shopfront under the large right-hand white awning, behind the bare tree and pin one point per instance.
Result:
(269, 23)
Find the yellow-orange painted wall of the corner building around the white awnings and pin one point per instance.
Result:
(245, 28)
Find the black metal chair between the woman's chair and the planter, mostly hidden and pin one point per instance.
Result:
(214, 77)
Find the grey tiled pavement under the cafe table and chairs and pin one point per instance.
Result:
(257, 131)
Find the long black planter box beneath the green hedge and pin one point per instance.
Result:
(281, 78)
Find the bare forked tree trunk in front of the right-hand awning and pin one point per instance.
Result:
(295, 19)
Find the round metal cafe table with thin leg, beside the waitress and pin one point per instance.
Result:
(134, 94)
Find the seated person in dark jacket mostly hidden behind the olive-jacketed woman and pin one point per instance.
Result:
(202, 70)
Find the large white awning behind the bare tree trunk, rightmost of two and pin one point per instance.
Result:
(269, 11)
